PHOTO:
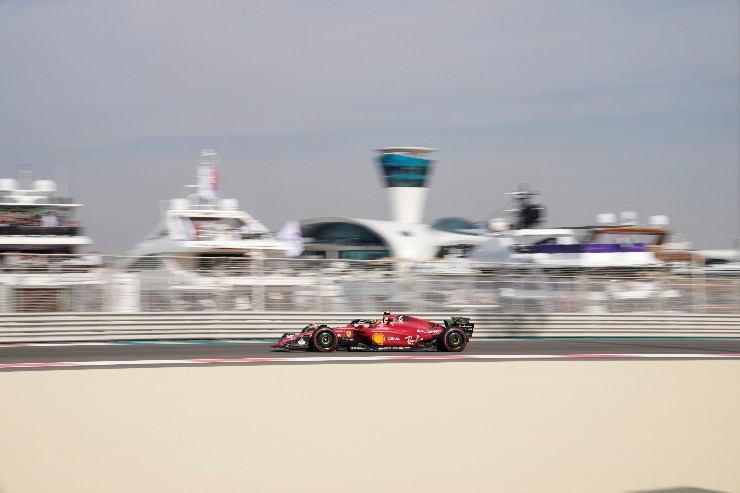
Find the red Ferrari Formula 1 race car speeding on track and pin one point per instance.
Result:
(399, 332)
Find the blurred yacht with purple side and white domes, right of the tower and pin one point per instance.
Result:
(621, 258)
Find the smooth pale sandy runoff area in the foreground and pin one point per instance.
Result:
(546, 426)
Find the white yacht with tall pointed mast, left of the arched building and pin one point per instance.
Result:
(205, 252)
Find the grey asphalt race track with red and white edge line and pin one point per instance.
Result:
(40, 357)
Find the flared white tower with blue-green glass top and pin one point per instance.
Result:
(405, 171)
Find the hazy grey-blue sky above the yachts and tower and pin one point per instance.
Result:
(602, 105)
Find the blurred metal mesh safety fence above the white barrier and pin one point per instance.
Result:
(94, 283)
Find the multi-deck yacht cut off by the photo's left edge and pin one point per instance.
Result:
(41, 248)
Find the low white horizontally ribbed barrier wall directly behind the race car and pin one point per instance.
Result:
(24, 328)
